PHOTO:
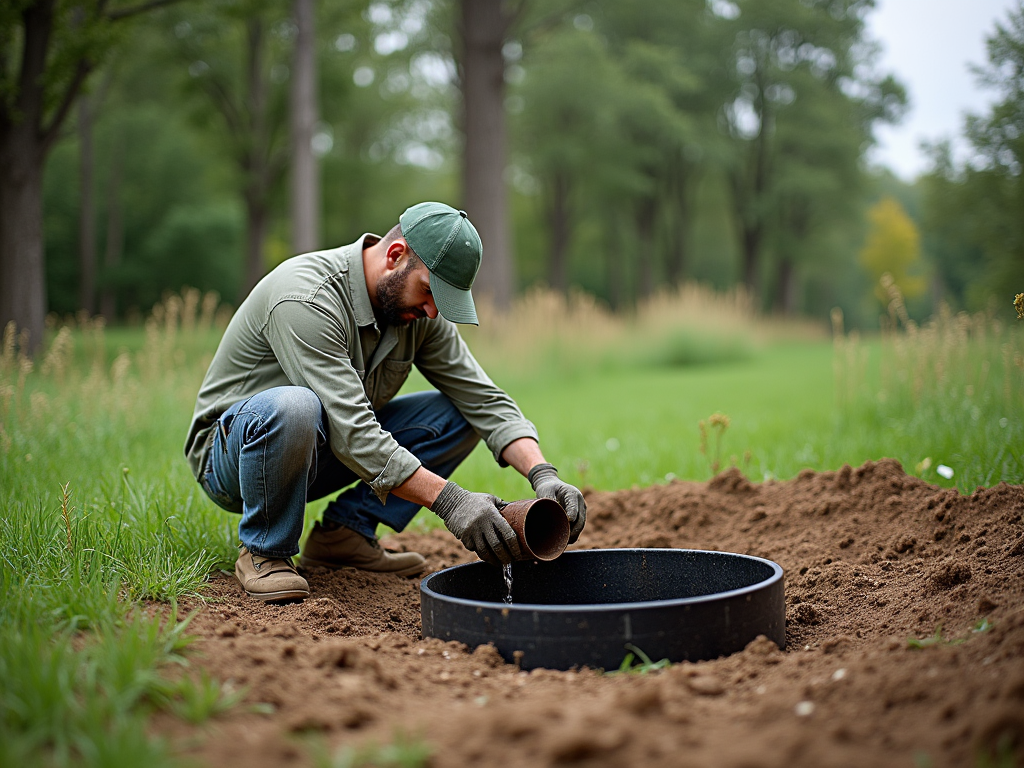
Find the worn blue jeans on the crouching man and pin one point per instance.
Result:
(272, 454)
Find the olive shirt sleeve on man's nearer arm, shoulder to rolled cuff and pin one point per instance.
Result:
(313, 351)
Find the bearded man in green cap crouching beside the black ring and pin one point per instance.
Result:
(300, 403)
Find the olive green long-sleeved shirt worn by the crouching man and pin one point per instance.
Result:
(310, 324)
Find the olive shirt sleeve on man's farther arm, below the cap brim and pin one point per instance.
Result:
(448, 364)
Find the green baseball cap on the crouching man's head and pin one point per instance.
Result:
(448, 243)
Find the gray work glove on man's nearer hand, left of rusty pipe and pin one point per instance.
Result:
(476, 521)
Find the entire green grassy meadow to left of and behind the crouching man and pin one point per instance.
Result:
(101, 516)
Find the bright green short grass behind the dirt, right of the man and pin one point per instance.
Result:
(620, 428)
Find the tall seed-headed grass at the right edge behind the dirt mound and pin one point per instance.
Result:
(949, 395)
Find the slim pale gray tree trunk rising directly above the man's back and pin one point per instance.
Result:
(306, 175)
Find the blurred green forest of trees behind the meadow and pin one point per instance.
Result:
(619, 149)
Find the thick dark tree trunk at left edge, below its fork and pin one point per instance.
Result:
(23, 270)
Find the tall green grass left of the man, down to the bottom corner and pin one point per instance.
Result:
(98, 515)
